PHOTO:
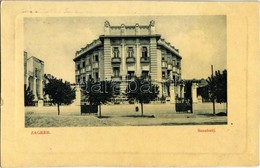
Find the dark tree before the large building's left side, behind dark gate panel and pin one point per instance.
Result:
(99, 92)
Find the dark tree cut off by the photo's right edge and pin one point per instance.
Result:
(217, 86)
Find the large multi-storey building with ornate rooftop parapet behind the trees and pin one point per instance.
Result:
(127, 51)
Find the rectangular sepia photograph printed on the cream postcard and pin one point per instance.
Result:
(125, 71)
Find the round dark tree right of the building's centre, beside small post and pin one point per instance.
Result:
(142, 90)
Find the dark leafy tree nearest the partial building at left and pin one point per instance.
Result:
(59, 92)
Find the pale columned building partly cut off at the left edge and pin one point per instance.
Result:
(34, 76)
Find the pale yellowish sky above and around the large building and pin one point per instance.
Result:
(201, 40)
